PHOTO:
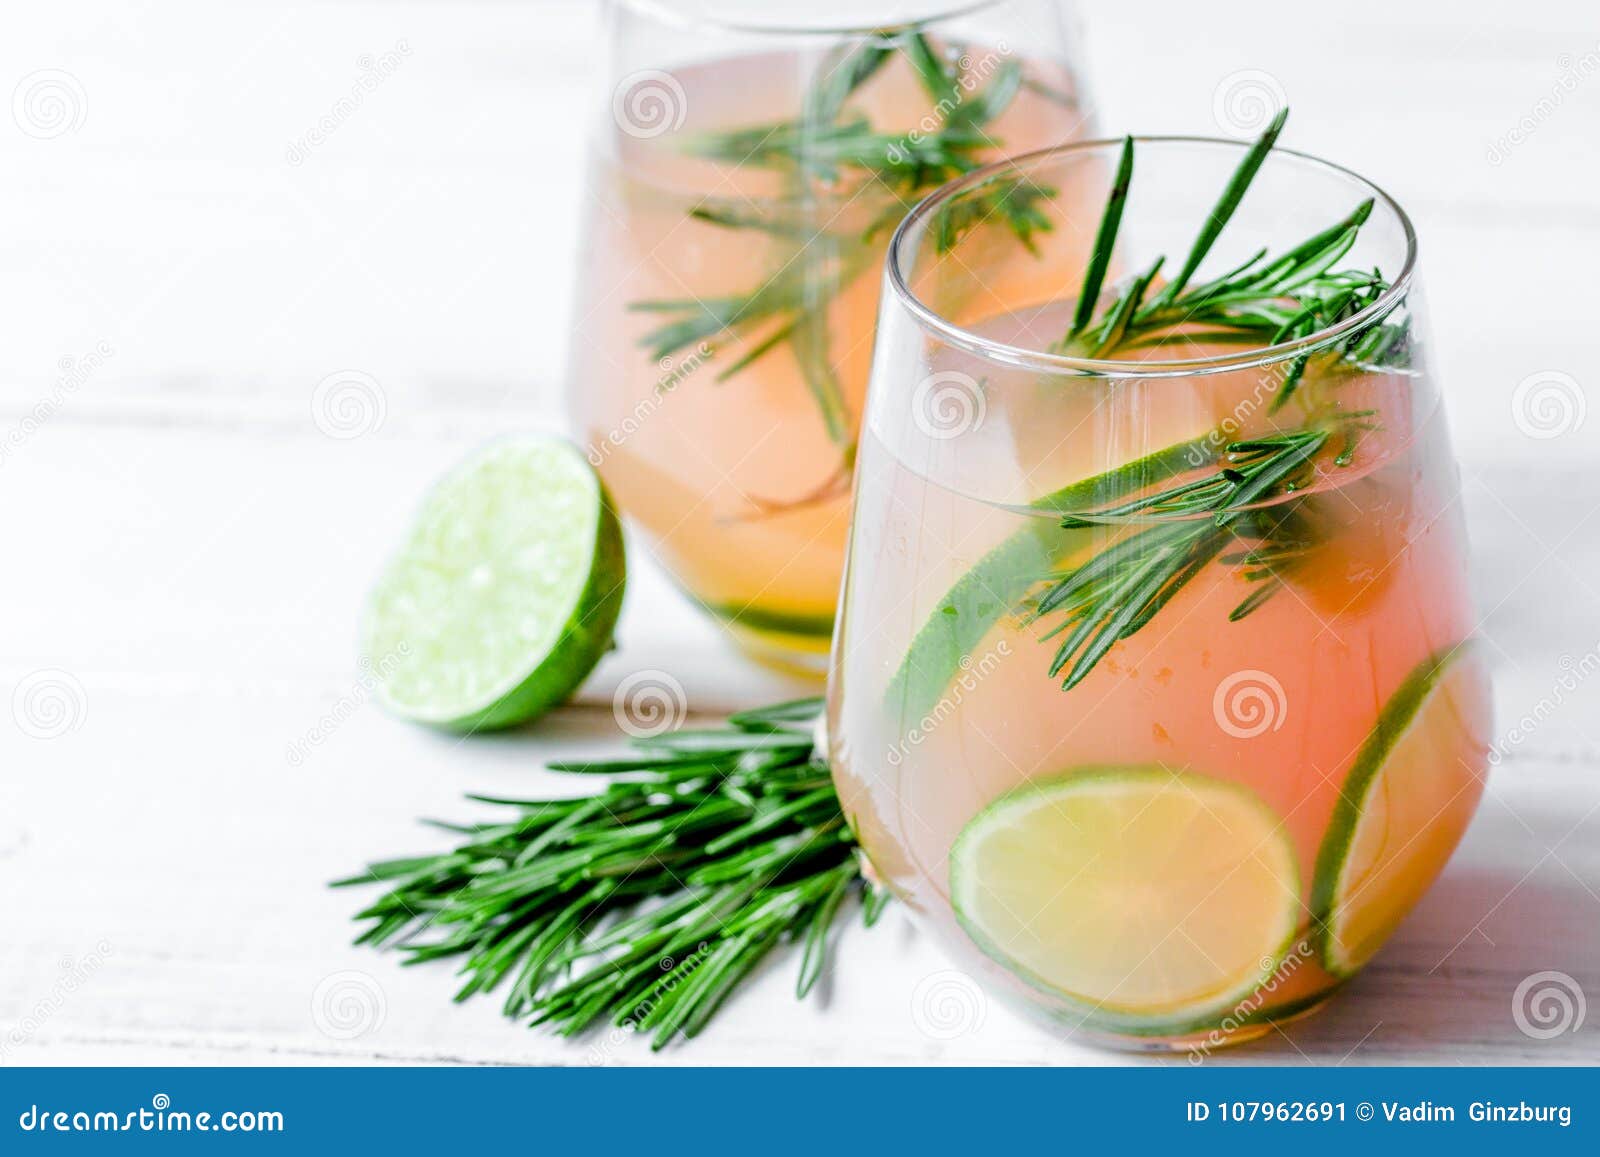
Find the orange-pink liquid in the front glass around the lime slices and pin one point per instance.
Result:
(1279, 702)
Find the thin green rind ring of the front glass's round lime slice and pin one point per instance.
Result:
(1086, 1012)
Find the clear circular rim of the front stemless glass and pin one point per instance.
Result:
(1034, 359)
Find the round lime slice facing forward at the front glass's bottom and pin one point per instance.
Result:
(1140, 894)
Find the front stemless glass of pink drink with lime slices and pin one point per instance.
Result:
(1166, 771)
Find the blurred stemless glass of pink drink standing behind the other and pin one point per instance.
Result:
(746, 177)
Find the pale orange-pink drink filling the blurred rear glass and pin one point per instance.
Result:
(738, 484)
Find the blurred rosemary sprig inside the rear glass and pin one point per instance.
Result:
(817, 153)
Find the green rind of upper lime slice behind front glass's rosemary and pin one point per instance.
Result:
(1001, 580)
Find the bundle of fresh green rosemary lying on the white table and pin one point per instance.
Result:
(646, 903)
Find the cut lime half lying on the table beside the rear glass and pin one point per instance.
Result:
(505, 595)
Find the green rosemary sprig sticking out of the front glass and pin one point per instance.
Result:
(1119, 590)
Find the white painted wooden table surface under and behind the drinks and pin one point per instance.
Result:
(190, 548)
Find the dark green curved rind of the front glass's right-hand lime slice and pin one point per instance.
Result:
(1394, 721)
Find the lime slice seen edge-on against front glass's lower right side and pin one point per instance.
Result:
(1406, 804)
